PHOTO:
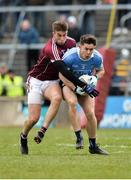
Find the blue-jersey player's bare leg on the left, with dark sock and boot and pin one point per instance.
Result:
(72, 102)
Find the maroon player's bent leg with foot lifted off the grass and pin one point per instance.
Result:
(54, 95)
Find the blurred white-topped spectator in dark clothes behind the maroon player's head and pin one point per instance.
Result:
(73, 30)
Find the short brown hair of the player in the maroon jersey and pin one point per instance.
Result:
(59, 26)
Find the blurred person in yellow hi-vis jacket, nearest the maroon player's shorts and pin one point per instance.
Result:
(14, 85)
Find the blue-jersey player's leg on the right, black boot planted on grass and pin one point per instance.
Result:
(88, 105)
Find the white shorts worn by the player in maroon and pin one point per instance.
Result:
(36, 88)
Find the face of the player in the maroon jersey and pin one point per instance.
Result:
(60, 37)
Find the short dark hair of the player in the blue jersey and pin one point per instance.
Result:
(88, 39)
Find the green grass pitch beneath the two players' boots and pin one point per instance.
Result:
(57, 158)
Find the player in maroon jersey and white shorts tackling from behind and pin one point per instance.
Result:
(43, 82)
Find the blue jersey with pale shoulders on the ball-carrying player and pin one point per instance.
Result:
(80, 66)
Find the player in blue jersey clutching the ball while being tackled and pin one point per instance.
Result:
(86, 63)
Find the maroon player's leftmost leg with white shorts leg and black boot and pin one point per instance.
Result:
(34, 108)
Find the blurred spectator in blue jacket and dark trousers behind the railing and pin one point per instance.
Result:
(29, 35)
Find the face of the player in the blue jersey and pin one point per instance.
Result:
(86, 50)
